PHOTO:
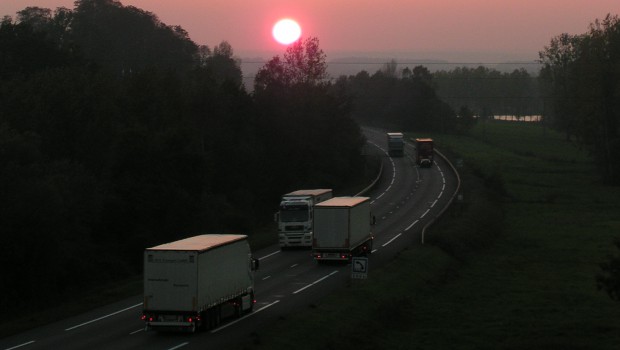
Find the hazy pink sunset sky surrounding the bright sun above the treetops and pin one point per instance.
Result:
(518, 28)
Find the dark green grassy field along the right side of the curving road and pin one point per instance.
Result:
(513, 268)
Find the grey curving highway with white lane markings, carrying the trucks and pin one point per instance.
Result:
(404, 200)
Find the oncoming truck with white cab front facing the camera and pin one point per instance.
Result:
(295, 216)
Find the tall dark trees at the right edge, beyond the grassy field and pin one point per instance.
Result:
(581, 78)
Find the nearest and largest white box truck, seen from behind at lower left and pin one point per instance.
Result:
(188, 283)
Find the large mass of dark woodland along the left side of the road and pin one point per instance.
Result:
(118, 132)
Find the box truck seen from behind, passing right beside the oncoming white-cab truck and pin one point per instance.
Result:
(342, 229)
